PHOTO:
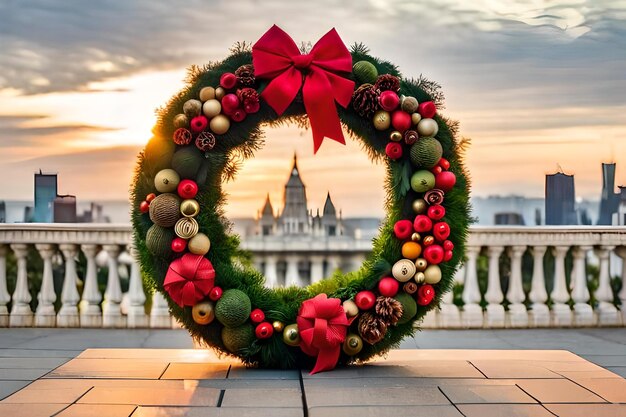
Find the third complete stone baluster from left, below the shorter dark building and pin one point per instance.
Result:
(68, 314)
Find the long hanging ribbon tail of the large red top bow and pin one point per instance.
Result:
(320, 105)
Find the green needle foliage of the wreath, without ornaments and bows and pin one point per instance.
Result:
(239, 143)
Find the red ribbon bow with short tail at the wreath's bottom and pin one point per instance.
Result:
(323, 326)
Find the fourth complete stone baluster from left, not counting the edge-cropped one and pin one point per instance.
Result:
(90, 312)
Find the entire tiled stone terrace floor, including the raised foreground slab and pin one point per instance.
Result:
(46, 372)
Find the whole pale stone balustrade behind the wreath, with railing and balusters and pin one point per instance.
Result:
(511, 277)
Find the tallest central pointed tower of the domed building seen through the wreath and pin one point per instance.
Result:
(294, 218)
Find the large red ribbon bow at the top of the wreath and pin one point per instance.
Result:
(276, 56)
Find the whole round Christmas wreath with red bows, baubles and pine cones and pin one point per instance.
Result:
(182, 235)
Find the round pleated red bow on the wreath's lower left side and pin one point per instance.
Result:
(189, 279)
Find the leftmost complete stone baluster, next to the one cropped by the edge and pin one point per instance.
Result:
(21, 314)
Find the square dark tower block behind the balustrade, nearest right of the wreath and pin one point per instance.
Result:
(560, 199)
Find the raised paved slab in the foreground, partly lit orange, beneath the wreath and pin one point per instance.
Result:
(433, 383)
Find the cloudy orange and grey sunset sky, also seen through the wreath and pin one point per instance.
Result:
(533, 83)
